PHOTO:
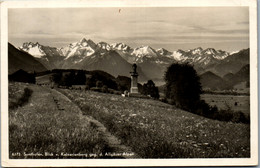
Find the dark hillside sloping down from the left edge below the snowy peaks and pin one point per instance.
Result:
(21, 60)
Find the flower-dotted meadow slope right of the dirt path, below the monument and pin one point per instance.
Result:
(157, 130)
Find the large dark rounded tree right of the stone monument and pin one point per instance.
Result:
(183, 86)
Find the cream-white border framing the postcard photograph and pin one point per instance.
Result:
(253, 160)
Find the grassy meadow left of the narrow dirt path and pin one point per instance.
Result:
(50, 126)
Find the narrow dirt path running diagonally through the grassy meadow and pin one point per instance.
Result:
(119, 149)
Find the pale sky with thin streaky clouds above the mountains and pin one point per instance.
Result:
(173, 28)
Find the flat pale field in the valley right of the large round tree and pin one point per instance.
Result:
(236, 103)
